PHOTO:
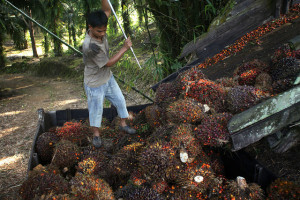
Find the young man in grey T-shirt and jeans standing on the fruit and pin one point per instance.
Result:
(99, 82)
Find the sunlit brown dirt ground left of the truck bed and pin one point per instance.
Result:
(18, 119)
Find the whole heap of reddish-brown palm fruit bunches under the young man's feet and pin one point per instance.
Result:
(176, 151)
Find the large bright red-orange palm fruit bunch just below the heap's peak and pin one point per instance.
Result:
(207, 92)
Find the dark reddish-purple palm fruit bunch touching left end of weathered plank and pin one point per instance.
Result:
(213, 130)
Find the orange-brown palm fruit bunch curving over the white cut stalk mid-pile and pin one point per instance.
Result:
(183, 138)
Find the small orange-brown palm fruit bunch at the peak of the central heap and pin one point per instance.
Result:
(189, 76)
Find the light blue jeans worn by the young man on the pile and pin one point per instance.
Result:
(95, 97)
